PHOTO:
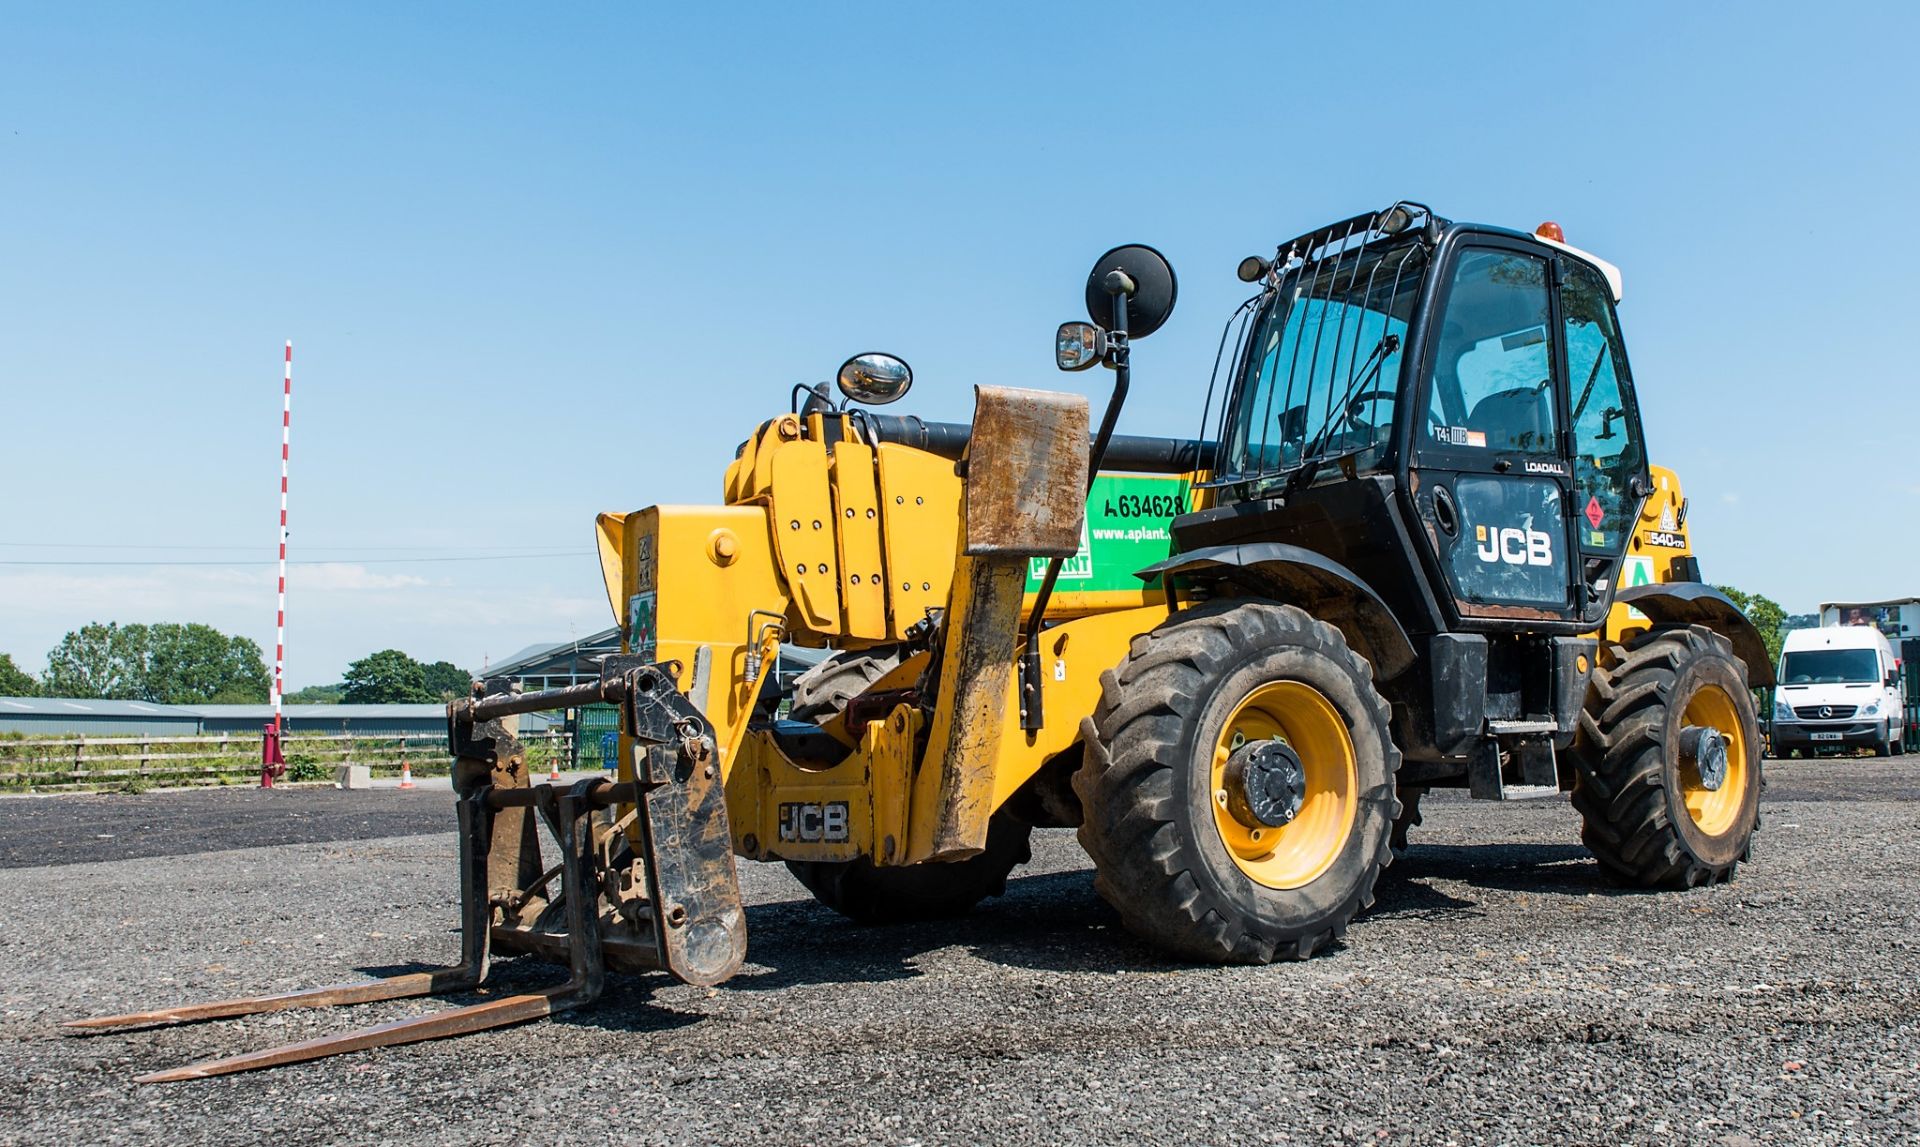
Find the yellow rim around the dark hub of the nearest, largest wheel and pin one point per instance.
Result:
(1297, 852)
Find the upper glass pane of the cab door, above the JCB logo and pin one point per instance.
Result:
(1493, 383)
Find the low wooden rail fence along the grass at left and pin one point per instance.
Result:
(143, 762)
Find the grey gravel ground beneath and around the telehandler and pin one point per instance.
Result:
(1499, 994)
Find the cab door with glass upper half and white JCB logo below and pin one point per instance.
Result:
(1489, 464)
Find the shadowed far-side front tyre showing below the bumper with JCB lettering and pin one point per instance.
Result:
(869, 894)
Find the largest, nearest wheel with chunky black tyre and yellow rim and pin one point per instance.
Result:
(1216, 721)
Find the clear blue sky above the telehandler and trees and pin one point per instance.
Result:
(548, 262)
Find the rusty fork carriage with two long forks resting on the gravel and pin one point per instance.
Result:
(677, 908)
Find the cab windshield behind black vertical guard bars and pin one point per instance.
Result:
(1322, 370)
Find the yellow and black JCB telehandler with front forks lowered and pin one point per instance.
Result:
(1422, 547)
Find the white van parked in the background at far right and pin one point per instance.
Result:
(1840, 689)
